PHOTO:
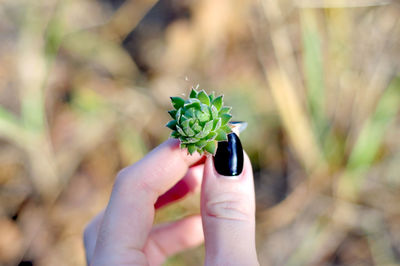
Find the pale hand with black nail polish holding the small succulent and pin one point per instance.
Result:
(123, 234)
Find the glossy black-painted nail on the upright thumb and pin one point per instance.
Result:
(228, 159)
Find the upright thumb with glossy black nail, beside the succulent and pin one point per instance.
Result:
(228, 206)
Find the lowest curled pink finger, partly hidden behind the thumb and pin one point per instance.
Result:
(168, 239)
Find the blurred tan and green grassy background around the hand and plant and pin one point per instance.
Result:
(84, 92)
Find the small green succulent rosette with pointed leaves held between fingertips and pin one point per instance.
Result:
(200, 121)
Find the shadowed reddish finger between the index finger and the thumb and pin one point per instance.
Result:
(188, 184)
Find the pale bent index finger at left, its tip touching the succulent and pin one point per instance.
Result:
(129, 215)
